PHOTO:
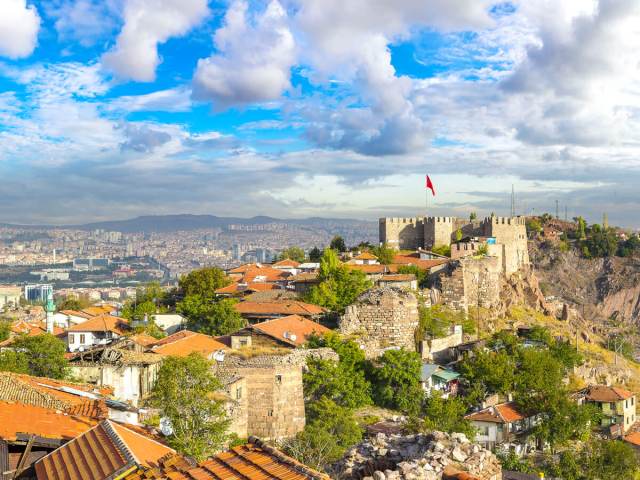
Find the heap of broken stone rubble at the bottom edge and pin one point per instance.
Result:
(417, 457)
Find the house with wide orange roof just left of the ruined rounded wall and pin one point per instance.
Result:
(291, 331)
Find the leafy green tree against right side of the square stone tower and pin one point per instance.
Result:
(344, 381)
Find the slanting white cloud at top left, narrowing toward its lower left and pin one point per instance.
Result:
(148, 23)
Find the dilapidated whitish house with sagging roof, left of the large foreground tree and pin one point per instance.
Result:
(122, 365)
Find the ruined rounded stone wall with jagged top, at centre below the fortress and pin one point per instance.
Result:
(382, 318)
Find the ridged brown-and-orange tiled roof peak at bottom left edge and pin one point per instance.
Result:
(108, 450)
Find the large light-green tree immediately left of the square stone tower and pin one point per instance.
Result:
(185, 394)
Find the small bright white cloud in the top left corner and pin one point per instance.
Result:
(19, 25)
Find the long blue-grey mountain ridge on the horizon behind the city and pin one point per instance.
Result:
(172, 223)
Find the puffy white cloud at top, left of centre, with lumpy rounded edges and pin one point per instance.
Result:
(254, 59)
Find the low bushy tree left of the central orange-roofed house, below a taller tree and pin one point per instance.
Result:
(211, 317)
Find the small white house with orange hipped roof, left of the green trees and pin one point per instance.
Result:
(99, 330)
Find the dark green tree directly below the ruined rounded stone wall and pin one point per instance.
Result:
(396, 381)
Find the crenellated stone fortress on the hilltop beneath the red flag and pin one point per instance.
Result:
(504, 237)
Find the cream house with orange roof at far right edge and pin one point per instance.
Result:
(617, 406)
